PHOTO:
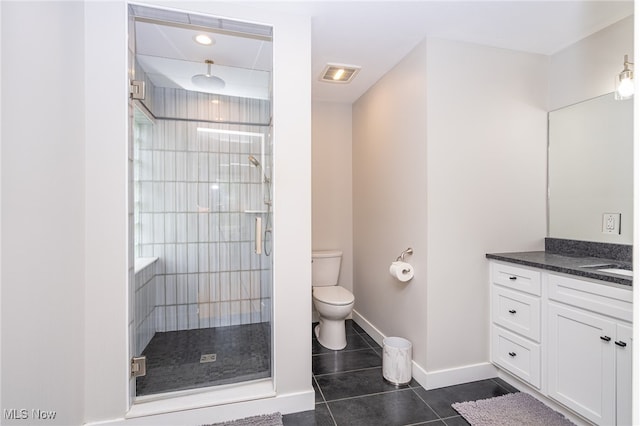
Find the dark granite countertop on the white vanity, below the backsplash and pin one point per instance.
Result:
(573, 265)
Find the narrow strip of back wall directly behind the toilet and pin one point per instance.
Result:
(332, 199)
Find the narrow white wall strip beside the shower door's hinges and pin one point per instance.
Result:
(106, 211)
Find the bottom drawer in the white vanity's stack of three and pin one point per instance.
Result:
(519, 356)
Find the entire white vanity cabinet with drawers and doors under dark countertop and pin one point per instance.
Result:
(570, 338)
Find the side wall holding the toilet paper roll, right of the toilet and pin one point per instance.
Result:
(390, 200)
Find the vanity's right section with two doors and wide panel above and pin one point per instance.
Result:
(589, 348)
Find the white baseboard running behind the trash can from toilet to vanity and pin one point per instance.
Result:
(434, 379)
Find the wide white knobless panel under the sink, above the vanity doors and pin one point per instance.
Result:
(601, 298)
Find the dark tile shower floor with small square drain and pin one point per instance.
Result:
(242, 353)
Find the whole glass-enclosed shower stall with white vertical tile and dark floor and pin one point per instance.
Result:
(201, 150)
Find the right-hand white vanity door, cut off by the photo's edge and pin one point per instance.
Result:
(623, 374)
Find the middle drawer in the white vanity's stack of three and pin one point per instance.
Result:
(517, 312)
